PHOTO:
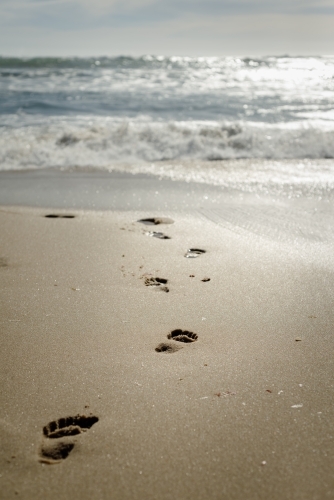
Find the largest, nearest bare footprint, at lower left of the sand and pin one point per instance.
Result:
(54, 450)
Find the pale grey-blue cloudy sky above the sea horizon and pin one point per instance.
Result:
(166, 27)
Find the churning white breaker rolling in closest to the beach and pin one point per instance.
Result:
(104, 142)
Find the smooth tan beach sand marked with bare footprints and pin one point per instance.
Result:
(244, 411)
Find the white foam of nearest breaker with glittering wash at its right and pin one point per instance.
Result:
(292, 158)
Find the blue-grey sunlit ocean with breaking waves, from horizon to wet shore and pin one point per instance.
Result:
(153, 111)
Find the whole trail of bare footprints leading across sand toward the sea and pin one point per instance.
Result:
(58, 435)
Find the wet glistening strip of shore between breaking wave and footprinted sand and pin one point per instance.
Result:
(279, 179)
